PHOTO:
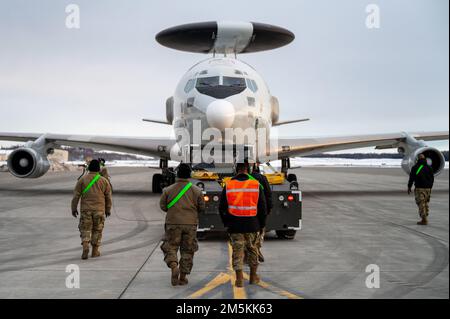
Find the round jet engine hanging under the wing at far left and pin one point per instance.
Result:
(27, 163)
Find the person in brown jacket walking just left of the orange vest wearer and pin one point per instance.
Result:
(181, 225)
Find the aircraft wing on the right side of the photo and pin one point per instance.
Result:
(291, 147)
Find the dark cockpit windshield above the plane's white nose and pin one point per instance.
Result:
(211, 86)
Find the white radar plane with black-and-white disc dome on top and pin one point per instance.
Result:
(220, 92)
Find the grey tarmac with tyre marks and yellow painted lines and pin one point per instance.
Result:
(352, 218)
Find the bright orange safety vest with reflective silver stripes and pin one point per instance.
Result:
(242, 197)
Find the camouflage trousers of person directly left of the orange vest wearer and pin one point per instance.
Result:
(184, 238)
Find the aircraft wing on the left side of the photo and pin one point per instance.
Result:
(155, 147)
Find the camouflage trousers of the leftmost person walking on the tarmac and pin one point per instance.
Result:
(91, 227)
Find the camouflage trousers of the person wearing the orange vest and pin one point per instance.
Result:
(244, 245)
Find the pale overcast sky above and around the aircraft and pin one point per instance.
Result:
(106, 76)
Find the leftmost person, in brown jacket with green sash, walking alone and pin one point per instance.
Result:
(96, 204)
